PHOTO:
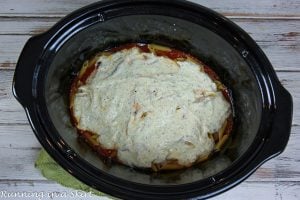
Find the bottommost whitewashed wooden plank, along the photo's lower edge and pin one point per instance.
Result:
(270, 190)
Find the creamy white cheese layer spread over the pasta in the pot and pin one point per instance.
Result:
(151, 108)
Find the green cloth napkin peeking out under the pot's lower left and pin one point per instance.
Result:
(52, 171)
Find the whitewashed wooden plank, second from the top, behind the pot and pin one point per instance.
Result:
(279, 39)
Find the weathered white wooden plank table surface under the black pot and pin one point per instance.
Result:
(274, 24)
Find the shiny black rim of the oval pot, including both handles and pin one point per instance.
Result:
(277, 103)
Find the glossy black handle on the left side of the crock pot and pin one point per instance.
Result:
(26, 70)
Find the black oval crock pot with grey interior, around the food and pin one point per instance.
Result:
(262, 107)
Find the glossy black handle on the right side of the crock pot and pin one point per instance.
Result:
(281, 126)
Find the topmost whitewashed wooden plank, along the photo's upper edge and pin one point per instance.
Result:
(54, 8)
